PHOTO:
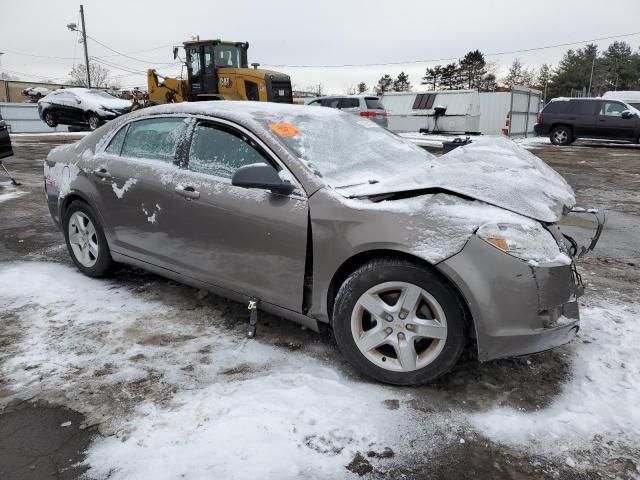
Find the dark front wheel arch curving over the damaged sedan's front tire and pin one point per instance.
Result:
(357, 260)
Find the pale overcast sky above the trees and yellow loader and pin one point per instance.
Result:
(287, 32)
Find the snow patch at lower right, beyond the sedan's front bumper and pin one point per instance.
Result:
(602, 399)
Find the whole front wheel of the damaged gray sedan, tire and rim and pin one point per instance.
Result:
(394, 284)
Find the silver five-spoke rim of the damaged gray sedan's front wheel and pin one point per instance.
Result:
(399, 326)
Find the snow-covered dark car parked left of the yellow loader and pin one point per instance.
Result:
(81, 106)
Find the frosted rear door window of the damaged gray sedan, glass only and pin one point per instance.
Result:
(156, 139)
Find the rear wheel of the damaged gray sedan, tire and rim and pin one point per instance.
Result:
(86, 241)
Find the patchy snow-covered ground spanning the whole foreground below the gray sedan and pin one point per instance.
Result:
(186, 396)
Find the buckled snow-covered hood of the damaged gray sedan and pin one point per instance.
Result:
(493, 170)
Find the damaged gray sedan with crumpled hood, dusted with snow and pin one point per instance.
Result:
(325, 218)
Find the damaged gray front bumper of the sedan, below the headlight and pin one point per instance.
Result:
(517, 308)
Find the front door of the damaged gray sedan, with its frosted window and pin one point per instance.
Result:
(251, 241)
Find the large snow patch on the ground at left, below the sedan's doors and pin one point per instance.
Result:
(243, 409)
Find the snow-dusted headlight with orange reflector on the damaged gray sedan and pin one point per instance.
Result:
(529, 242)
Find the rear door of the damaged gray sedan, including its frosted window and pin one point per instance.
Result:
(132, 179)
